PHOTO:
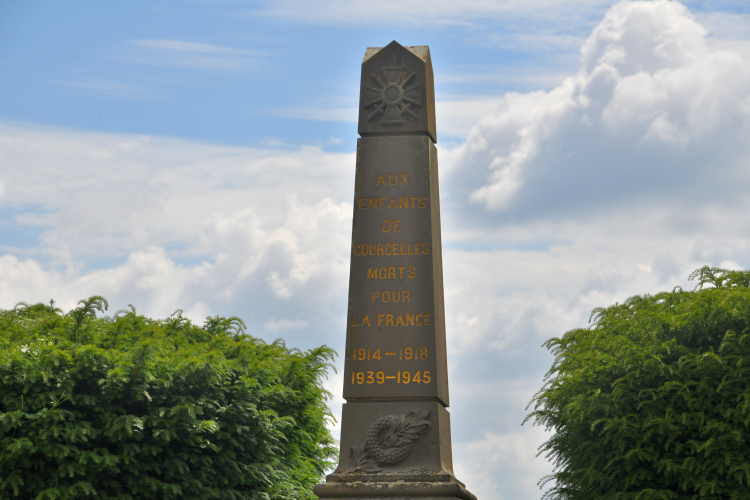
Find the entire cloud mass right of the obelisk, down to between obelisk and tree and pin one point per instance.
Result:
(620, 180)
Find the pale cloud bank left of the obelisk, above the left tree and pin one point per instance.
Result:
(167, 224)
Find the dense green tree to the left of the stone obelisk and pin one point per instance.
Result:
(129, 407)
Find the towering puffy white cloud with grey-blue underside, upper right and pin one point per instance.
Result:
(653, 110)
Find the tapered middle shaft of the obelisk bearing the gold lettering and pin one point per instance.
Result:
(395, 346)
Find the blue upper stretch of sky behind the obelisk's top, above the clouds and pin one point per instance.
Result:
(241, 72)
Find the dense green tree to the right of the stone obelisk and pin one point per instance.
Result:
(652, 401)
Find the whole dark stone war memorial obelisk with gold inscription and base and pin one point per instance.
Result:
(395, 429)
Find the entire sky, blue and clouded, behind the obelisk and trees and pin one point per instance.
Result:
(200, 155)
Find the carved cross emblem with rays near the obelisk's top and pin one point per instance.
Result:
(391, 96)
